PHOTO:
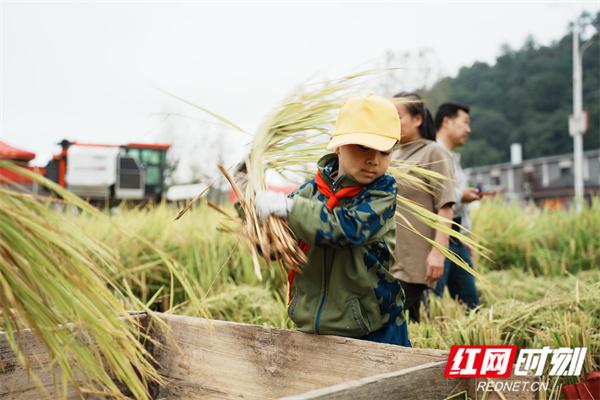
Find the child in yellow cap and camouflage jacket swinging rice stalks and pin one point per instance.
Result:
(344, 218)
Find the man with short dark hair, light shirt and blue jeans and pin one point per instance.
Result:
(452, 122)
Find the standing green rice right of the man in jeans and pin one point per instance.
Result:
(546, 242)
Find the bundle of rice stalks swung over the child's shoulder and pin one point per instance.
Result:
(290, 141)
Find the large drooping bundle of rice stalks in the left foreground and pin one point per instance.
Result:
(57, 272)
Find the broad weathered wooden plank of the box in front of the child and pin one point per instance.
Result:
(221, 359)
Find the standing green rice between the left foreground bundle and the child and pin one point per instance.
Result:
(208, 257)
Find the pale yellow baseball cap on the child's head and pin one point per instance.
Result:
(371, 121)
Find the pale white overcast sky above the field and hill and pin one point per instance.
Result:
(88, 71)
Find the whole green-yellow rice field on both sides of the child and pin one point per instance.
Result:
(541, 288)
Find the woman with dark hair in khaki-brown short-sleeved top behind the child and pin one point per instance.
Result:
(418, 264)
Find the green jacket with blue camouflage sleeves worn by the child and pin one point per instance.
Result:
(346, 288)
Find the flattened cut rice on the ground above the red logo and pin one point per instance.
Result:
(521, 309)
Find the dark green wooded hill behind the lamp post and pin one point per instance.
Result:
(525, 97)
